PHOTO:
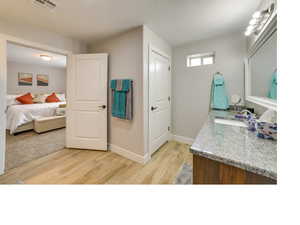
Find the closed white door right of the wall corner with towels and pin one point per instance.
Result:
(159, 100)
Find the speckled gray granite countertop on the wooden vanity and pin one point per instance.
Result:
(236, 146)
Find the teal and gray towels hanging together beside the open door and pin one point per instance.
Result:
(121, 99)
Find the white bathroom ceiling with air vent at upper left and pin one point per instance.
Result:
(177, 21)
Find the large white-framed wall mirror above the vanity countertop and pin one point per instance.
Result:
(261, 68)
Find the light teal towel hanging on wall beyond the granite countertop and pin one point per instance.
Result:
(219, 98)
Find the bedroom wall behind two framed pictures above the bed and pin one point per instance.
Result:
(57, 78)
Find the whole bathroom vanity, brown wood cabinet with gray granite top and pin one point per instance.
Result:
(231, 154)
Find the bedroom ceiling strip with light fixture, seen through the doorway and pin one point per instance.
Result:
(20, 54)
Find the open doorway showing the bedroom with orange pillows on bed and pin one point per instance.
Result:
(35, 104)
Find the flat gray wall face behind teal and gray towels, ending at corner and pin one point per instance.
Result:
(125, 61)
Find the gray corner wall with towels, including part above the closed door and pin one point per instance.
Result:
(128, 58)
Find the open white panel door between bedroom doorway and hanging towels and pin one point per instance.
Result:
(87, 102)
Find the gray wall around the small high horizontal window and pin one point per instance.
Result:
(191, 86)
